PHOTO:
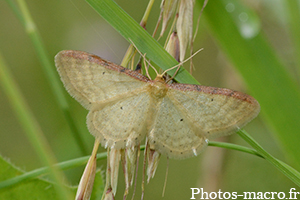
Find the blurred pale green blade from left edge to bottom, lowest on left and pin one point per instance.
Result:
(30, 126)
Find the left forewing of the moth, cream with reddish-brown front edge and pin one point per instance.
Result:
(91, 79)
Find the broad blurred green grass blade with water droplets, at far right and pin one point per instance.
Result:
(264, 73)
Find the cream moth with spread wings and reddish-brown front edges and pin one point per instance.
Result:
(126, 106)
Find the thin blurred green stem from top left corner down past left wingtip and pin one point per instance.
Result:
(48, 67)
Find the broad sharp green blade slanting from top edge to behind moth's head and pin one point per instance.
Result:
(130, 29)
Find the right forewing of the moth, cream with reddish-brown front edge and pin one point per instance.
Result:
(214, 111)
